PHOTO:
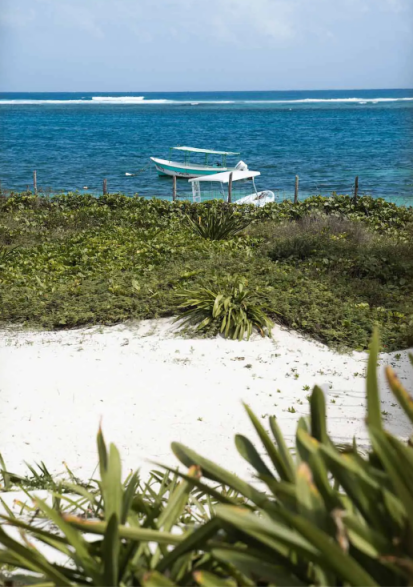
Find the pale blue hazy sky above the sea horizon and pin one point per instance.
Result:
(182, 45)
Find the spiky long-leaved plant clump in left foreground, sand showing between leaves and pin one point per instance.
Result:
(138, 530)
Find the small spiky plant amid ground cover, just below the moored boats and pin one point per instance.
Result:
(219, 223)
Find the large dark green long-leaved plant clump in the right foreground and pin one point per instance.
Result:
(327, 517)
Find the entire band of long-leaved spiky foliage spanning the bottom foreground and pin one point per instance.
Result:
(321, 515)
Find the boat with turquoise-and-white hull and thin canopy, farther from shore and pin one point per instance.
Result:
(188, 169)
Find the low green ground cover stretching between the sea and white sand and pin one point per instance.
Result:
(328, 267)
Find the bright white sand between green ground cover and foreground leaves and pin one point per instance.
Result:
(150, 387)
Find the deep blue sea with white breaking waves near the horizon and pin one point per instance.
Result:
(326, 137)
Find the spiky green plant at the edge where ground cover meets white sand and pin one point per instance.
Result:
(236, 310)
